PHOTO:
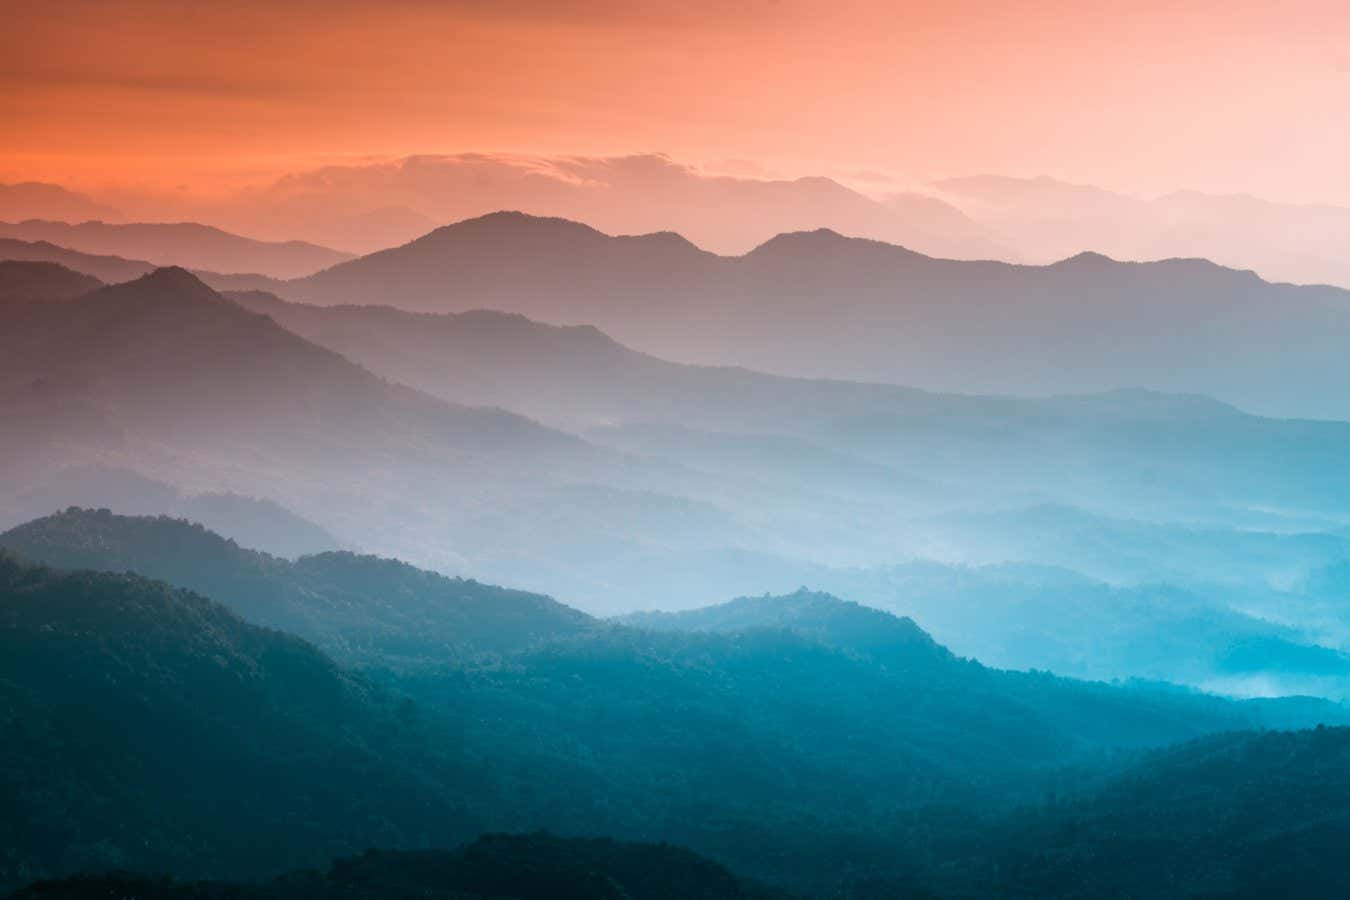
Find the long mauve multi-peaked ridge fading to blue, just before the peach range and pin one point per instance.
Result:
(820, 304)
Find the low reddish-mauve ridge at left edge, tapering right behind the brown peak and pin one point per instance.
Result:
(186, 245)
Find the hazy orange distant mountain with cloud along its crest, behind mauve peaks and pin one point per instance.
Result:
(726, 214)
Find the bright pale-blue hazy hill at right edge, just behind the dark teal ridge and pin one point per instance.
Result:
(1218, 638)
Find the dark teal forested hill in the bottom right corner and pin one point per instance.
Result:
(1239, 816)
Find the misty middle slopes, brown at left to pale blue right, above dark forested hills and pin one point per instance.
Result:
(655, 485)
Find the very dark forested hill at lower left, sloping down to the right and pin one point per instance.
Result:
(149, 728)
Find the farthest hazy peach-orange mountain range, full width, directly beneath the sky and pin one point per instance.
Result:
(369, 207)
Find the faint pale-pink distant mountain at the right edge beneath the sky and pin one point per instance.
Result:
(1047, 219)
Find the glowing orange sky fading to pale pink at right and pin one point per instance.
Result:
(1137, 96)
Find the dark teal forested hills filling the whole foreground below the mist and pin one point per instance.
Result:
(816, 746)
